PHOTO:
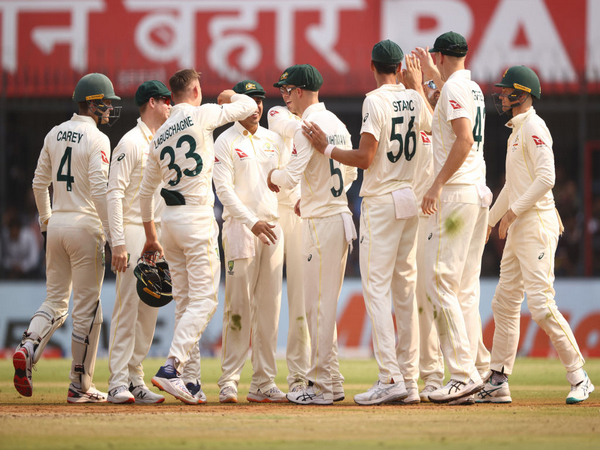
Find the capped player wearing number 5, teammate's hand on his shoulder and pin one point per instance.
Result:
(327, 228)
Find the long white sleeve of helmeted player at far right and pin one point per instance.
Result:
(538, 144)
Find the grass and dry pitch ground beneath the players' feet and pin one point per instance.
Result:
(537, 418)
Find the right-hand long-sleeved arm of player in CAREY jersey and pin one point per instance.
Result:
(98, 177)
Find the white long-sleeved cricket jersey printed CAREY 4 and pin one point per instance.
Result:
(74, 159)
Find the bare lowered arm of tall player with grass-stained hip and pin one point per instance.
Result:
(457, 156)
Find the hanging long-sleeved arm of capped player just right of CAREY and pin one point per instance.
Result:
(123, 161)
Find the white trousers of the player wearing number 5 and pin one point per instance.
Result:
(325, 251)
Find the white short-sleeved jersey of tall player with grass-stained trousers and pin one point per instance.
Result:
(460, 97)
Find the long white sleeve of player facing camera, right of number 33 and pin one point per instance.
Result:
(224, 179)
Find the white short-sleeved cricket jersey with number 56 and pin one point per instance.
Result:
(395, 116)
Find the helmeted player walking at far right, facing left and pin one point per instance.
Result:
(531, 226)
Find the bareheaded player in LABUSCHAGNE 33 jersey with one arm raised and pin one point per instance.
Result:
(182, 156)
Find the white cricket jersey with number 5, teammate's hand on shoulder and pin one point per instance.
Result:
(324, 180)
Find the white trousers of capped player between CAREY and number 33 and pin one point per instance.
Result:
(133, 322)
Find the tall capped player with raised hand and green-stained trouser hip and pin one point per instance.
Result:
(458, 202)
